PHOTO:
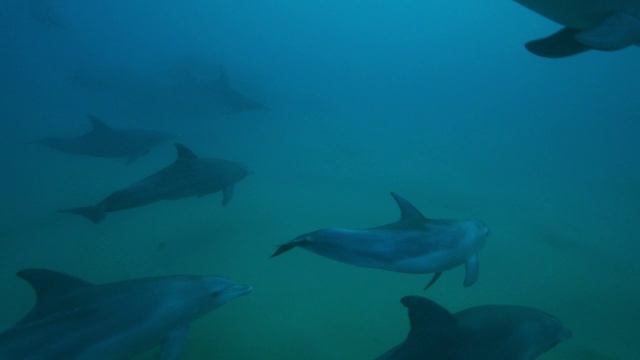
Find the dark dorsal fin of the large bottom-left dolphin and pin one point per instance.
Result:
(49, 283)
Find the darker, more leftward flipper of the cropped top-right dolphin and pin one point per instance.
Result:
(561, 44)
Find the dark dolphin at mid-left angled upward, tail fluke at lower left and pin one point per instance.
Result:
(188, 176)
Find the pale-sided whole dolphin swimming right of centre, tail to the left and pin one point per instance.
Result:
(413, 244)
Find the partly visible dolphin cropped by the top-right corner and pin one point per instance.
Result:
(589, 24)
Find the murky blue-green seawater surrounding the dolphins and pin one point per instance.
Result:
(438, 101)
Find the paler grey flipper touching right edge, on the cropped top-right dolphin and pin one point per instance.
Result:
(615, 32)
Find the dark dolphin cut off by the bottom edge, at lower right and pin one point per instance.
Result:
(487, 332)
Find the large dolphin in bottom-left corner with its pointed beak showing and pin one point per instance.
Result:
(75, 319)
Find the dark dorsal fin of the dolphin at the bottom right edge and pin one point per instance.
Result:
(425, 316)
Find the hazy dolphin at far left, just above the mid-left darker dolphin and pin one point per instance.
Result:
(105, 141)
